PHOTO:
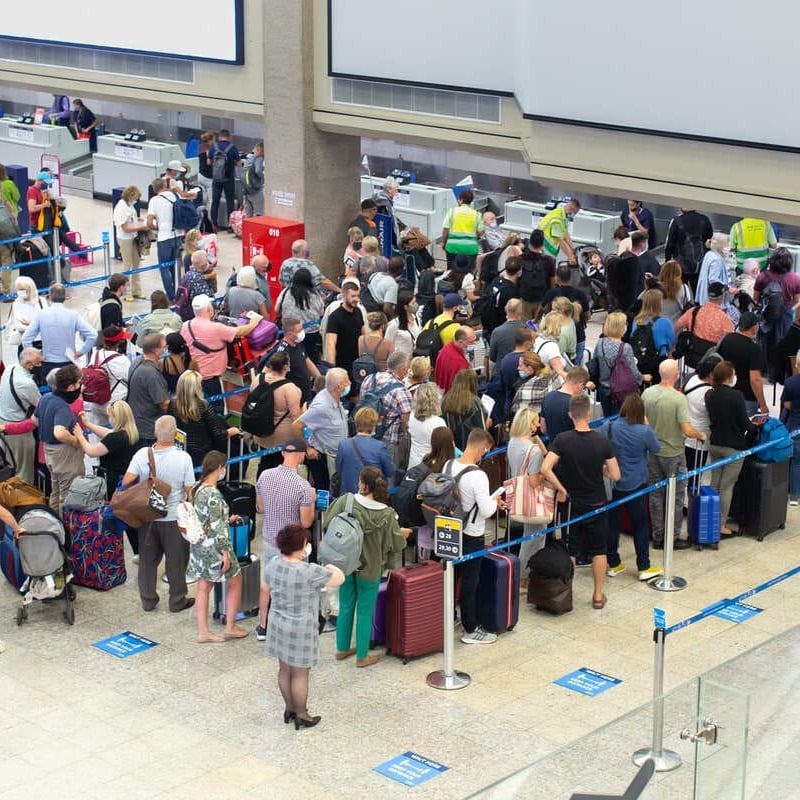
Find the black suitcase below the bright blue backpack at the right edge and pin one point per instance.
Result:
(760, 497)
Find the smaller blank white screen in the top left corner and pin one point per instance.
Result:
(205, 30)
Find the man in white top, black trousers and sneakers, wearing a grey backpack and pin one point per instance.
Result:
(478, 501)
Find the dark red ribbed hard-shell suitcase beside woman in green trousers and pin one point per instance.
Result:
(415, 610)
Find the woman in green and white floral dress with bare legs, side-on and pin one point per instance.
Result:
(213, 558)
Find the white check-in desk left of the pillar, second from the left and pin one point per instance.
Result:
(118, 162)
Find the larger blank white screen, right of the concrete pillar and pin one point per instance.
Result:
(718, 69)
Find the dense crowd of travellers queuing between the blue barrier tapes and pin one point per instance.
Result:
(391, 367)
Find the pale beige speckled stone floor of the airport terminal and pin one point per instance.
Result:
(184, 720)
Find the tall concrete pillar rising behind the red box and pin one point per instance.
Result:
(310, 175)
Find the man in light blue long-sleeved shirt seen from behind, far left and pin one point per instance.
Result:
(57, 326)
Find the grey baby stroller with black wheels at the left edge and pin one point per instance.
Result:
(44, 558)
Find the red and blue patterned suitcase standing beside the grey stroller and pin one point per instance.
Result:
(96, 548)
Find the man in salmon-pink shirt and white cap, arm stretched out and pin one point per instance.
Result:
(208, 343)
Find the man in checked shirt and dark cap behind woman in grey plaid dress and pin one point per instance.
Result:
(284, 498)
